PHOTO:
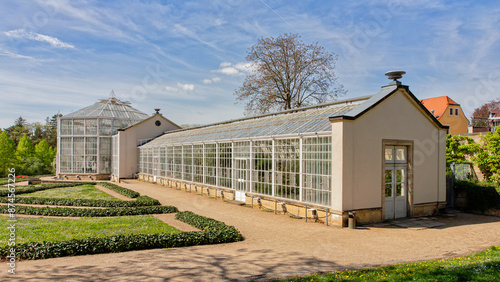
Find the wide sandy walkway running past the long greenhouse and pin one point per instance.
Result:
(275, 245)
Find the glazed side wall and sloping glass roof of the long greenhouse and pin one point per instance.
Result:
(285, 155)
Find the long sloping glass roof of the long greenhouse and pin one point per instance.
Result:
(291, 122)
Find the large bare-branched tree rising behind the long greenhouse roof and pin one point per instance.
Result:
(287, 74)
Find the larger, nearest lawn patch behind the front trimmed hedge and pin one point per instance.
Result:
(55, 230)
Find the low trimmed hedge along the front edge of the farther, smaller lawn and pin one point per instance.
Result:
(140, 201)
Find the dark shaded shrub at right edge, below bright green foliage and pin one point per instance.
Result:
(480, 197)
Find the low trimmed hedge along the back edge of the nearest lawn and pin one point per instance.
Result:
(49, 211)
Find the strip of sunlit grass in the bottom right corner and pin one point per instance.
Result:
(483, 266)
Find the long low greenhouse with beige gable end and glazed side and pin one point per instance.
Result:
(362, 156)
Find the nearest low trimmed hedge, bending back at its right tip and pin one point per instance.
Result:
(214, 232)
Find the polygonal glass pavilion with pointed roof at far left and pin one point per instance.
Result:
(84, 136)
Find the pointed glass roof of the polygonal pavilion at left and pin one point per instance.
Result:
(112, 108)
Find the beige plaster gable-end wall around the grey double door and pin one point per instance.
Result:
(361, 150)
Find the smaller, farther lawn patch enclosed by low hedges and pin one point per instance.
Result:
(78, 192)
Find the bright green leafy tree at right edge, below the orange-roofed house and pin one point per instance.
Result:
(488, 157)
